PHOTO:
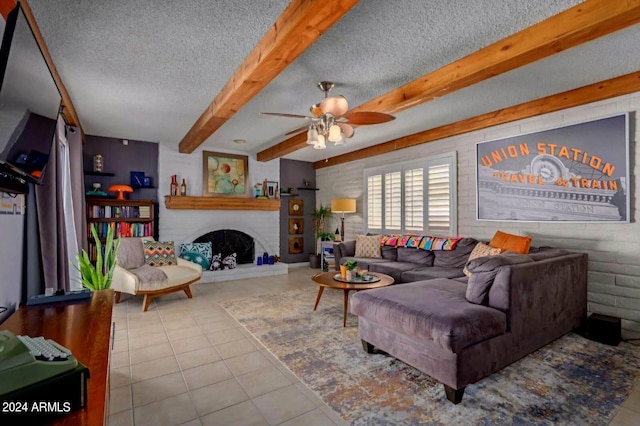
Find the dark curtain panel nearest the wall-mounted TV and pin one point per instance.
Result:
(53, 241)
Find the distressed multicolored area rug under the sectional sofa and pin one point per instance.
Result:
(570, 381)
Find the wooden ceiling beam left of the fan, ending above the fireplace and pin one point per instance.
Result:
(299, 26)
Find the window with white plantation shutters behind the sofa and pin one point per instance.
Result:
(413, 197)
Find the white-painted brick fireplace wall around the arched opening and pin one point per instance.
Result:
(185, 225)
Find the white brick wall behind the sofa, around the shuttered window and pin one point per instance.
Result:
(614, 250)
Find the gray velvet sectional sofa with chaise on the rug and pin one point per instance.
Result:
(459, 330)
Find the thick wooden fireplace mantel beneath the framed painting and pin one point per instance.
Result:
(220, 203)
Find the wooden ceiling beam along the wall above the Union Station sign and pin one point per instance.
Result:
(607, 89)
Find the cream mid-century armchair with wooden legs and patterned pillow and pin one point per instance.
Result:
(131, 275)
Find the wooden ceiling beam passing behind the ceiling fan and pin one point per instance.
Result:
(573, 27)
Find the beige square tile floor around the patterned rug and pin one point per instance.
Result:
(188, 362)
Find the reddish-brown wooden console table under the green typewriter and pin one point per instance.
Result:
(84, 327)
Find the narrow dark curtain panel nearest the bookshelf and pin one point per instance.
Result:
(74, 141)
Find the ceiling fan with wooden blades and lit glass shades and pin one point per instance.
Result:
(330, 121)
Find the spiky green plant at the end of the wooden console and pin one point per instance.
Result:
(99, 276)
